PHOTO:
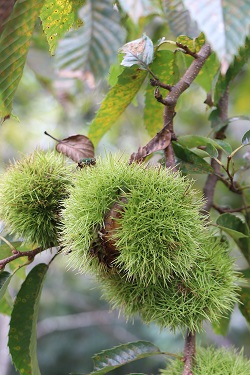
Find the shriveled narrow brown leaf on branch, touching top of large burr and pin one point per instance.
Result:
(159, 142)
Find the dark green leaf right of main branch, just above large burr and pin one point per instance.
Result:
(189, 162)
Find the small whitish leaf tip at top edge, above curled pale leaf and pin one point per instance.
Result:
(138, 9)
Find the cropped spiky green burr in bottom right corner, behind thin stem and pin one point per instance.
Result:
(213, 361)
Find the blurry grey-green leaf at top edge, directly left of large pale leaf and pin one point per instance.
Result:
(179, 19)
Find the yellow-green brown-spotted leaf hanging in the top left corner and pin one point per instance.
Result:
(14, 44)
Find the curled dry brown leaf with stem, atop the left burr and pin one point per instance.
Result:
(76, 147)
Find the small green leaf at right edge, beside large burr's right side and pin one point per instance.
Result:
(233, 226)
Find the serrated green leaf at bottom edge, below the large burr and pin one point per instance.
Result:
(118, 356)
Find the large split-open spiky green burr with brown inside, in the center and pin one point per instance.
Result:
(159, 260)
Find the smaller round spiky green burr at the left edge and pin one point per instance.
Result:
(32, 191)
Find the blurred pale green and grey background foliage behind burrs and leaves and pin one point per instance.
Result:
(75, 323)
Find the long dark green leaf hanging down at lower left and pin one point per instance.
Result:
(22, 334)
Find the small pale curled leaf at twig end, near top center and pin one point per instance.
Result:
(139, 51)
